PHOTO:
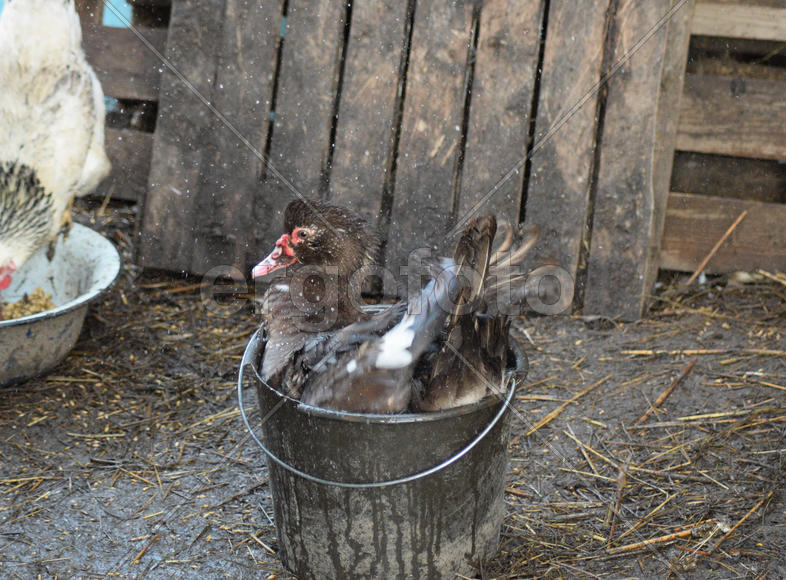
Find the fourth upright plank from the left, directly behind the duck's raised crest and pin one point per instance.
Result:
(365, 132)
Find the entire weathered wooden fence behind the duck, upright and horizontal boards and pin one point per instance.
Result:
(562, 114)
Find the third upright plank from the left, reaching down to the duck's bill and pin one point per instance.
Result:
(307, 87)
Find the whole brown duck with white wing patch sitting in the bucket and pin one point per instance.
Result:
(443, 347)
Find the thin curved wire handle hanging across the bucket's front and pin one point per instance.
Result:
(359, 485)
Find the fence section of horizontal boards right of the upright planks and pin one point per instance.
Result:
(731, 141)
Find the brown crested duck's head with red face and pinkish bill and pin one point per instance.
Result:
(323, 235)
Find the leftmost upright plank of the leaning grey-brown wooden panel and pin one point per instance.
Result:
(182, 130)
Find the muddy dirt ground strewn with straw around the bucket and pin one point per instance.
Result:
(130, 460)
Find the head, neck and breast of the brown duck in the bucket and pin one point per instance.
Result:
(326, 251)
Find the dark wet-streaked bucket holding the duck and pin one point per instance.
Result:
(382, 496)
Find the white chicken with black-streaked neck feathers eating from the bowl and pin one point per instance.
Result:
(51, 126)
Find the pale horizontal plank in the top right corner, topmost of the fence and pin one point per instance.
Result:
(740, 20)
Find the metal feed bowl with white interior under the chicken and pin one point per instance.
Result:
(84, 264)
